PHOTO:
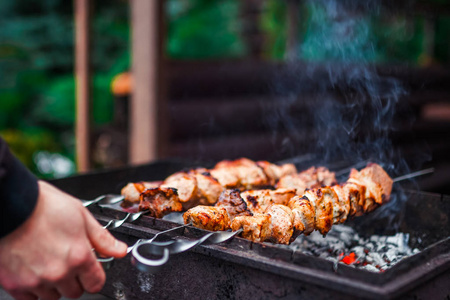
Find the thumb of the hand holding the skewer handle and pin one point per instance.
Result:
(102, 240)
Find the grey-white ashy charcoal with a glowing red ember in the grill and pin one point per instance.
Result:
(343, 245)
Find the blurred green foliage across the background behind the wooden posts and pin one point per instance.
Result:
(37, 49)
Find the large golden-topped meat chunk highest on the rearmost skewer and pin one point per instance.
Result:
(242, 173)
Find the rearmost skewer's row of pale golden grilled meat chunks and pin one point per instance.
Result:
(203, 186)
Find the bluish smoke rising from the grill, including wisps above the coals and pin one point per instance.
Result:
(351, 108)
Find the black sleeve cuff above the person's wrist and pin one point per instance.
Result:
(18, 191)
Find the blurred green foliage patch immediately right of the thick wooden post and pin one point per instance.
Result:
(204, 29)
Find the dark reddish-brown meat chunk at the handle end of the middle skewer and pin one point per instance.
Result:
(160, 201)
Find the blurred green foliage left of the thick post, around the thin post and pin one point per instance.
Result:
(37, 90)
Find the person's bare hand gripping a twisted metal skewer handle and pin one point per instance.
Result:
(50, 255)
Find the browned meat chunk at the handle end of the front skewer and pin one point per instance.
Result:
(208, 217)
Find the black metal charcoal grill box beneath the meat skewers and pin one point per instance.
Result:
(242, 269)
